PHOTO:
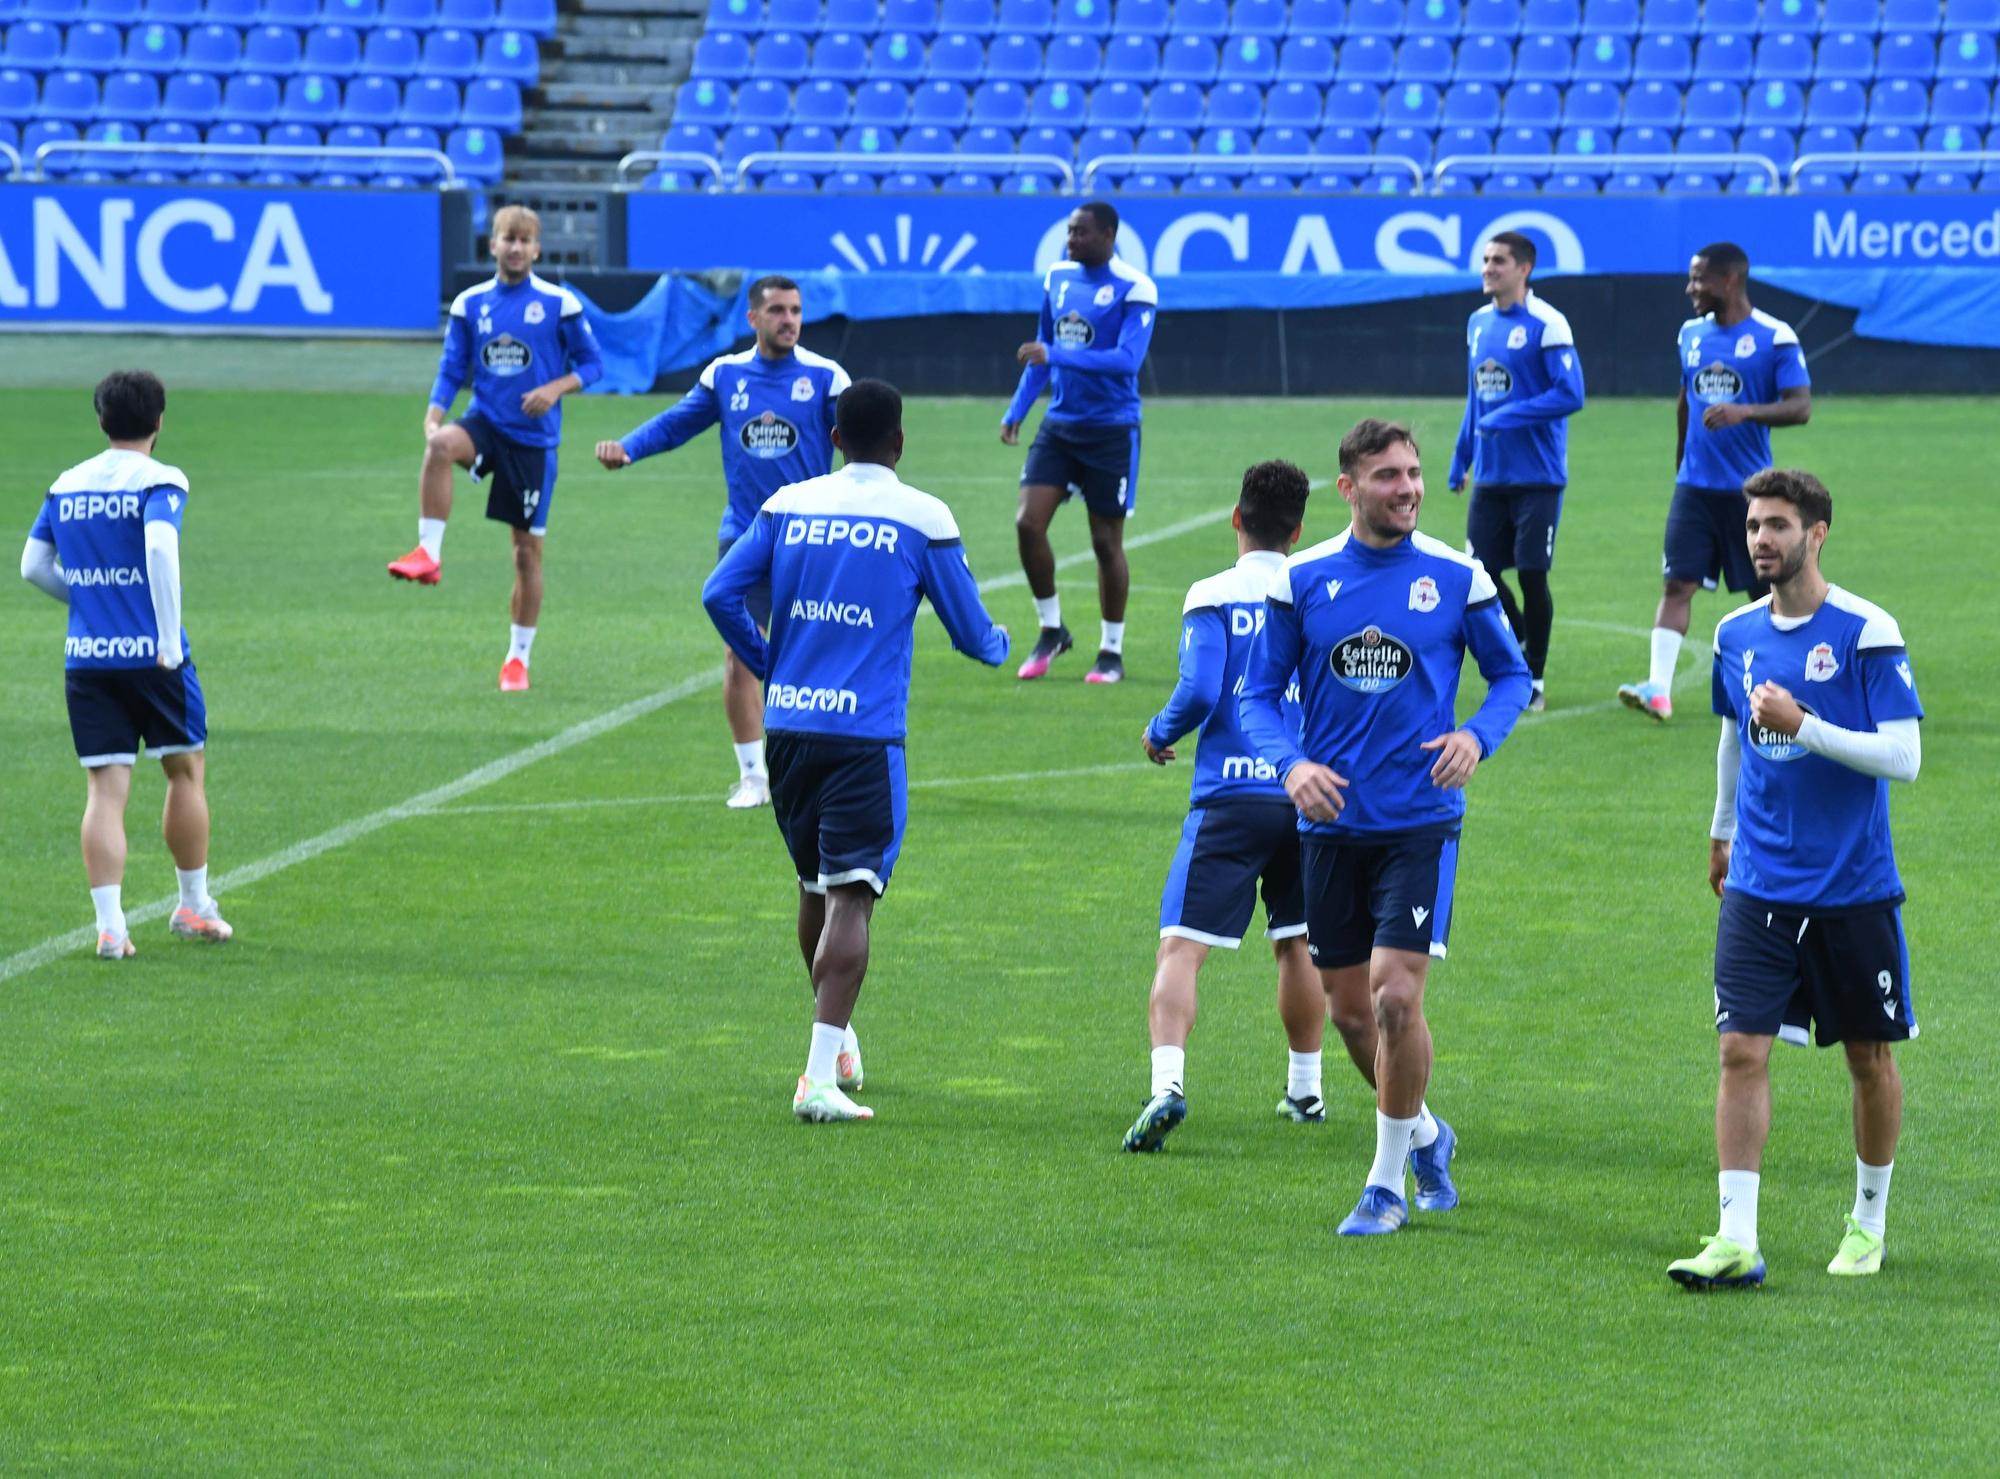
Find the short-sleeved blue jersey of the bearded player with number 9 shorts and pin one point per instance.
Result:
(1809, 830)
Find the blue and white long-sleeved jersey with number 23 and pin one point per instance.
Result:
(777, 425)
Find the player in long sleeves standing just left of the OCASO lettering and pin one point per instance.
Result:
(1097, 323)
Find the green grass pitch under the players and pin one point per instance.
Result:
(473, 1152)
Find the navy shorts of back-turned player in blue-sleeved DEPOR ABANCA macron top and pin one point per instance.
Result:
(841, 806)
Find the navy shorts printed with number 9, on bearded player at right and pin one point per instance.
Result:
(1783, 970)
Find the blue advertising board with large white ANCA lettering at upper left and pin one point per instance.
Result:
(227, 259)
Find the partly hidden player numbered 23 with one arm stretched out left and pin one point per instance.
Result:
(775, 405)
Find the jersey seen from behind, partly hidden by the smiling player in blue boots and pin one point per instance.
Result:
(1219, 623)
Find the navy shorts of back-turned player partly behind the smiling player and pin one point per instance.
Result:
(1227, 848)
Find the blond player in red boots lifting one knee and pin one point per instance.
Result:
(525, 345)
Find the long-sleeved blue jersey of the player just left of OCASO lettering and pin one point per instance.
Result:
(1097, 325)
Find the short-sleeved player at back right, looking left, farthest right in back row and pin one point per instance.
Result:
(1747, 375)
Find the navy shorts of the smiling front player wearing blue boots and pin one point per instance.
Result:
(1389, 894)
